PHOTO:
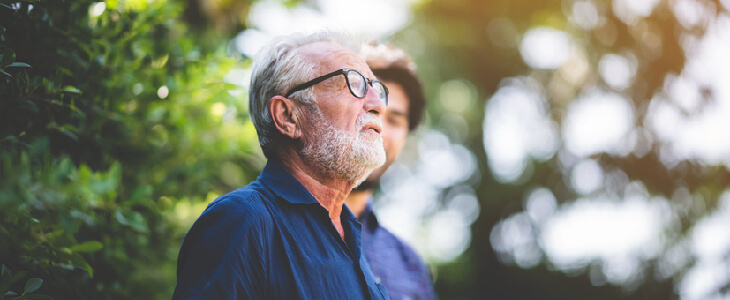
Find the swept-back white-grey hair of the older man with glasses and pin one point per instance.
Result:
(280, 66)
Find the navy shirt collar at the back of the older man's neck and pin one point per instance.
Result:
(284, 185)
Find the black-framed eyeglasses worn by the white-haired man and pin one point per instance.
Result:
(356, 82)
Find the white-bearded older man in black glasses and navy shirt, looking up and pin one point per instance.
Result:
(287, 235)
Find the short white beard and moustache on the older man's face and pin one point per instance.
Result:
(340, 154)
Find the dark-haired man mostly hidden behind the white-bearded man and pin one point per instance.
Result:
(393, 262)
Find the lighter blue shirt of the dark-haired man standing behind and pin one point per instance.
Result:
(394, 263)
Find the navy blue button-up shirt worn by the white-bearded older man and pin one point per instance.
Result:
(273, 240)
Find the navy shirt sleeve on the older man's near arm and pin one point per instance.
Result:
(223, 256)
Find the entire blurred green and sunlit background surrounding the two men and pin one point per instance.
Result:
(572, 149)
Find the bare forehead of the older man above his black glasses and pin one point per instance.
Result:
(332, 56)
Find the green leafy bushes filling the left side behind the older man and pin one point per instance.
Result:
(114, 117)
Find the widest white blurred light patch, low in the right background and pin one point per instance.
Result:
(601, 228)
